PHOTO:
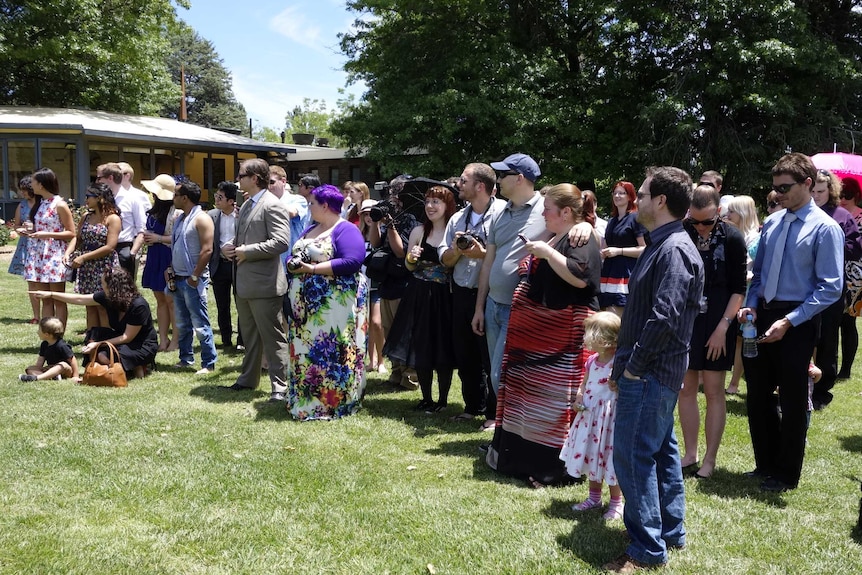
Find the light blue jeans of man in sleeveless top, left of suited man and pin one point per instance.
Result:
(190, 309)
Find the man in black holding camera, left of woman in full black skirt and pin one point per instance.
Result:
(391, 234)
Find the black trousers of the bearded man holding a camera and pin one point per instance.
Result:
(471, 355)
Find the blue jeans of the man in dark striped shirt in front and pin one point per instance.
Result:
(646, 459)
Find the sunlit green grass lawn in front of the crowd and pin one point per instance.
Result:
(173, 475)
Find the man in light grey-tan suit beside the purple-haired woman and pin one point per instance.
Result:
(262, 234)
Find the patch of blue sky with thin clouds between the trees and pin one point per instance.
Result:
(277, 52)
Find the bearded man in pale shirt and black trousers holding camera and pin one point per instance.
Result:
(466, 234)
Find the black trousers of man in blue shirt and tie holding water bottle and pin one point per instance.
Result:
(778, 439)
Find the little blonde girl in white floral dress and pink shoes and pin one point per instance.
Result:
(589, 446)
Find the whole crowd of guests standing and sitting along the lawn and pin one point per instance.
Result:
(576, 339)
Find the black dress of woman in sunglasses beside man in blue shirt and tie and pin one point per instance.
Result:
(724, 264)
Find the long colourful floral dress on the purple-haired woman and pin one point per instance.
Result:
(327, 331)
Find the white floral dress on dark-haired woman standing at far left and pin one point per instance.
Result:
(44, 263)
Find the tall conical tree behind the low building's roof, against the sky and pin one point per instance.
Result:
(209, 92)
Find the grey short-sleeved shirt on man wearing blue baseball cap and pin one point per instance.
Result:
(503, 234)
